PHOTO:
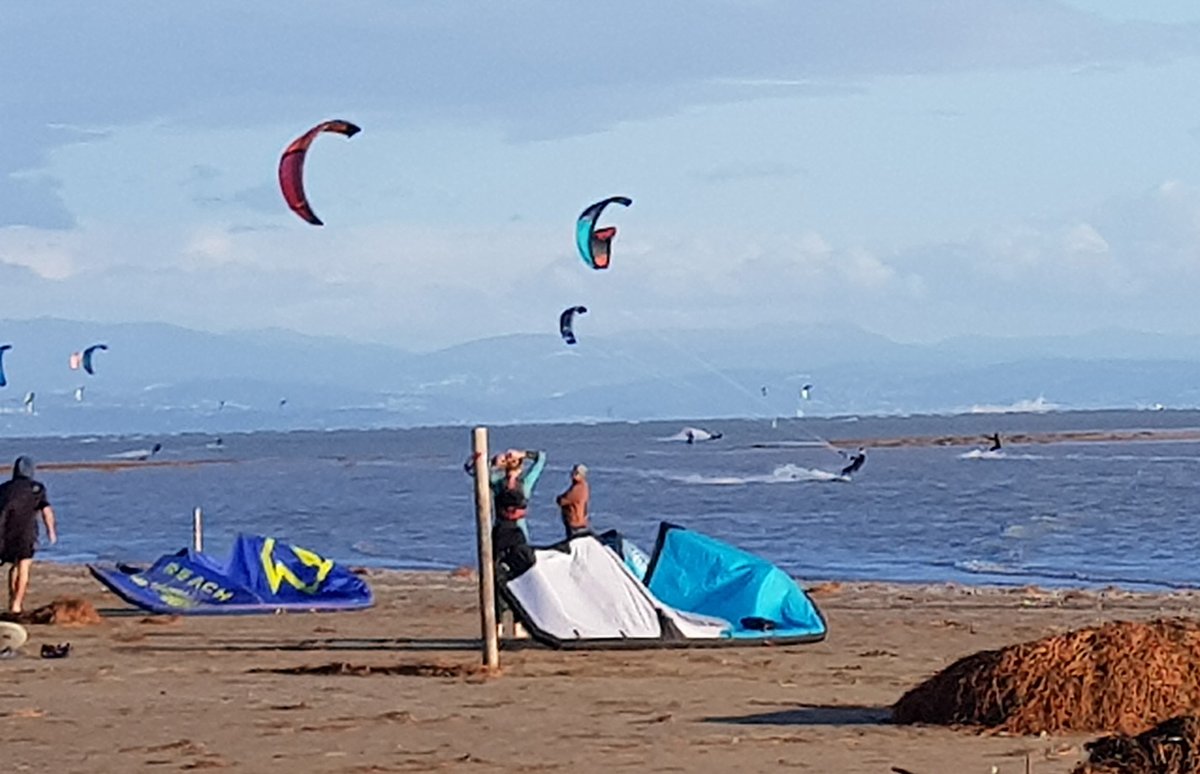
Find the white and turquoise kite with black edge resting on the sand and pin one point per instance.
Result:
(698, 591)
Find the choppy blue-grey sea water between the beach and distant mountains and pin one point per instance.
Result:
(1078, 514)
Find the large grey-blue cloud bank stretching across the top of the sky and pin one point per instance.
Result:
(527, 67)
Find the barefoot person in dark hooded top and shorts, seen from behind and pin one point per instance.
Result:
(22, 501)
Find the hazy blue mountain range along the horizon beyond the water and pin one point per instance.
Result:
(163, 379)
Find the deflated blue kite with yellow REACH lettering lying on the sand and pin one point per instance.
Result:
(262, 577)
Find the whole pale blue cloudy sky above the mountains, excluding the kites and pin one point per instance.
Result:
(919, 169)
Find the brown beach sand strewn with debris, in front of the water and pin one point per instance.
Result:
(169, 694)
